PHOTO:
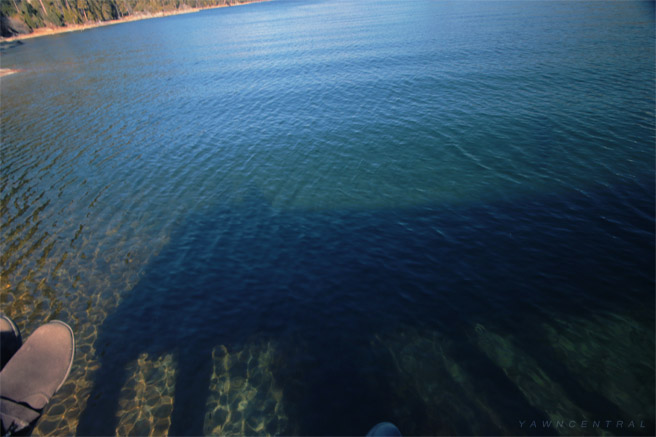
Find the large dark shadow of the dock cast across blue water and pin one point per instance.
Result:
(328, 281)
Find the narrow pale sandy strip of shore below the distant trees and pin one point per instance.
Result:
(47, 31)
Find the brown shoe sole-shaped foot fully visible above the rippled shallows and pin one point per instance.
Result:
(33, 375)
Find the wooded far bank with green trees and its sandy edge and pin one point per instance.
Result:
(29, 18)
